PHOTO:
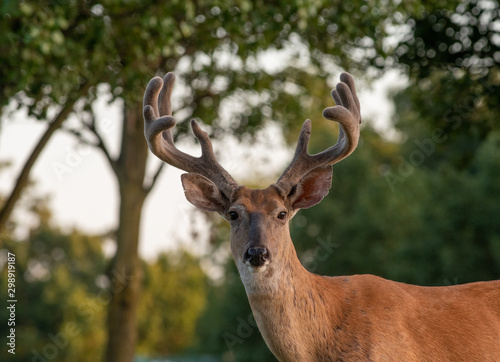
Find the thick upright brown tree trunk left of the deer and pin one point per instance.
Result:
(125, 272)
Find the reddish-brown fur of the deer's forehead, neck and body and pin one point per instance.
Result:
(306, 317)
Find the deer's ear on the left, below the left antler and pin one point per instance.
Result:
(203, 193)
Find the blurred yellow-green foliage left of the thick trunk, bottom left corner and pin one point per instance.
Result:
(60, 310)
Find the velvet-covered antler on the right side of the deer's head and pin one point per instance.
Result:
(347, 114)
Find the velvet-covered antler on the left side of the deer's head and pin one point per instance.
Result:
(158, 124)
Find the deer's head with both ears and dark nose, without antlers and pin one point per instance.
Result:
(259, 218)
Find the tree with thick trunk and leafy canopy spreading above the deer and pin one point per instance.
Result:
(56, 50)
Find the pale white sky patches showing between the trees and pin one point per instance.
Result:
(83, 191)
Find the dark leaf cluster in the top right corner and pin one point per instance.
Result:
(459, 39)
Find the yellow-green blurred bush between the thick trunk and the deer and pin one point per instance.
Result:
(174, 294)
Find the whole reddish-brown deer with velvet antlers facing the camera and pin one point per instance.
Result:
(304, 316)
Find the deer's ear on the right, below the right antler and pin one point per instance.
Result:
(311, 188)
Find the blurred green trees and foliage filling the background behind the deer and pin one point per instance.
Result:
(418, 204)
